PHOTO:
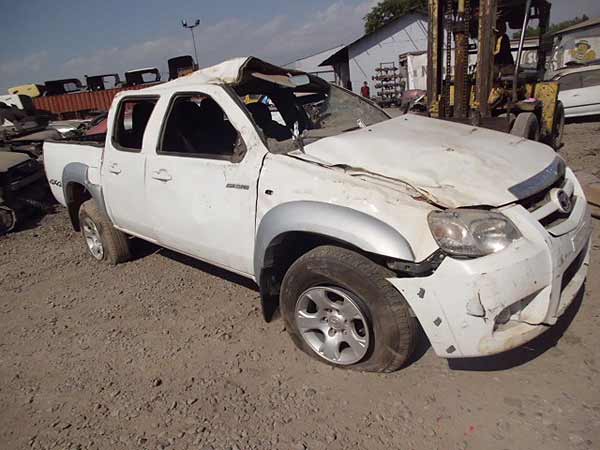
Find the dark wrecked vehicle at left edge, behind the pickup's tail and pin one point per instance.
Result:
(22, 188)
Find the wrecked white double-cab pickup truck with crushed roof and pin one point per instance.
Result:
(358, 226)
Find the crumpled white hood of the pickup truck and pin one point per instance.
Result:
(452, 165)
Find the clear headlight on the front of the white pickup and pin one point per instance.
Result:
(471, 233)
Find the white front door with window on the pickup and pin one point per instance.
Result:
(202, 179)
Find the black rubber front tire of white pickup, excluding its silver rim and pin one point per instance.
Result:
(391, 325)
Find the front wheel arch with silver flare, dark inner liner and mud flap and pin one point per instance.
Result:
(291, 229)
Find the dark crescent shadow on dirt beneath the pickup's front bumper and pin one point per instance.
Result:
(527, 352)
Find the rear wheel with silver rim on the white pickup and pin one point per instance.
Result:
(103, 241)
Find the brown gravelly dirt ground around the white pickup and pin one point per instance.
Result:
(164, 352)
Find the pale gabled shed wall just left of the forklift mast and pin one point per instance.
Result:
(408, 34)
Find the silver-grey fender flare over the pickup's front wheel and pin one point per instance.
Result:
(345, 224)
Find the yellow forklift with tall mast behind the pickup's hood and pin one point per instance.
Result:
(492, 92)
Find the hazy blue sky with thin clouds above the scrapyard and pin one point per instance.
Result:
(50, 39)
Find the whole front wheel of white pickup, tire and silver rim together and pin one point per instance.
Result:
(379, 334)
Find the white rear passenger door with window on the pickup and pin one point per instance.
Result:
(124, 166)
